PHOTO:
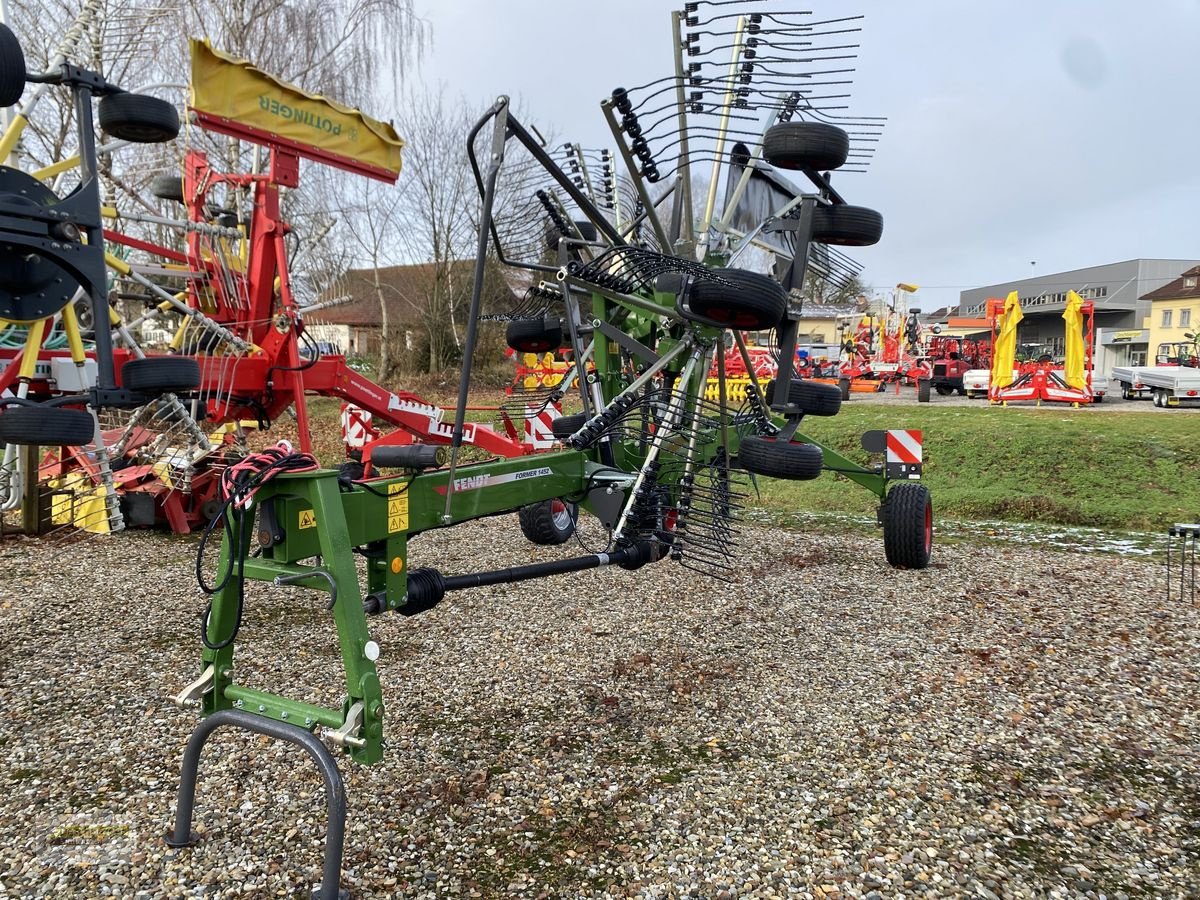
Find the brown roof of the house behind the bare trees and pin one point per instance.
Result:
(405, 289)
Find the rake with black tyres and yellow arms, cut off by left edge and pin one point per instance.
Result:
(53, 256)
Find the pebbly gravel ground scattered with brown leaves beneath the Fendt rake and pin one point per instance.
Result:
(1004, 724)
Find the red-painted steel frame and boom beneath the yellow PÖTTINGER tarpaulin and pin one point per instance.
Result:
(259, 307)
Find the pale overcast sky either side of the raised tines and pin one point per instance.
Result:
(1059, 134)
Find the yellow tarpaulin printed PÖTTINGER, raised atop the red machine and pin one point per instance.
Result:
(233, 98)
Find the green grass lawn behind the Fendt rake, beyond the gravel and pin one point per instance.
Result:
(1111, 470)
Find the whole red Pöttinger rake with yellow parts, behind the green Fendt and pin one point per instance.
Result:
(231, 290)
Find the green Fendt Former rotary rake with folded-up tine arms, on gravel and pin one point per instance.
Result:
(646, 287)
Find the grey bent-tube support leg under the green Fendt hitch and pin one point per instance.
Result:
(335, 791)
